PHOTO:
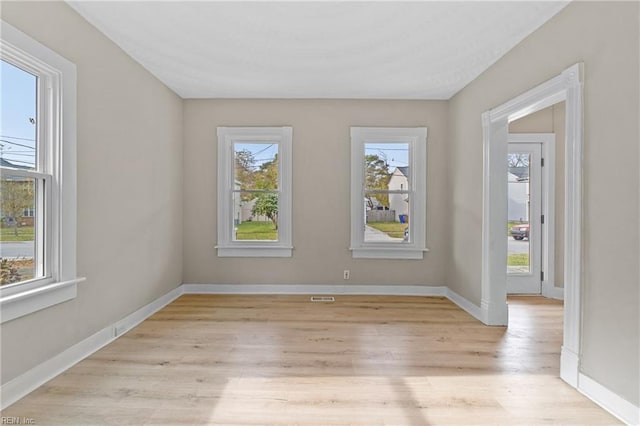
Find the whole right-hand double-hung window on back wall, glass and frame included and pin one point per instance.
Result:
(388, 192)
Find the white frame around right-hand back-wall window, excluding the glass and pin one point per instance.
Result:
(416, 138)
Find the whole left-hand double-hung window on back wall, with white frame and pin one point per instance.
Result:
(254, 191)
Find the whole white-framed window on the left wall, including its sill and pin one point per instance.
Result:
(38, 176)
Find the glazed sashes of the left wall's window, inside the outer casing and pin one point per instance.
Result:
(25, 178)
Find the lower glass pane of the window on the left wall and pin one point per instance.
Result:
(17, 242)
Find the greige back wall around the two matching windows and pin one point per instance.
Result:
(321, 209)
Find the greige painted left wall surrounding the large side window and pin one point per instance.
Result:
(129, 134)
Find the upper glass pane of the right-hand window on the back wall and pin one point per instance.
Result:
(386, 166)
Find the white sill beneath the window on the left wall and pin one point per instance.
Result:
(23, 303)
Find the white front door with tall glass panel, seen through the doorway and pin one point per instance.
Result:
(524, 214)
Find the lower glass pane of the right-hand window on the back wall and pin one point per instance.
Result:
(383, 224)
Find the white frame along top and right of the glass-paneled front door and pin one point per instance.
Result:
(548, 177)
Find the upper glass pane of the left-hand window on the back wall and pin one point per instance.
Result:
(256, 165)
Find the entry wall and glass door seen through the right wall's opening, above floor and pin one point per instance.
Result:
(534, 204)
